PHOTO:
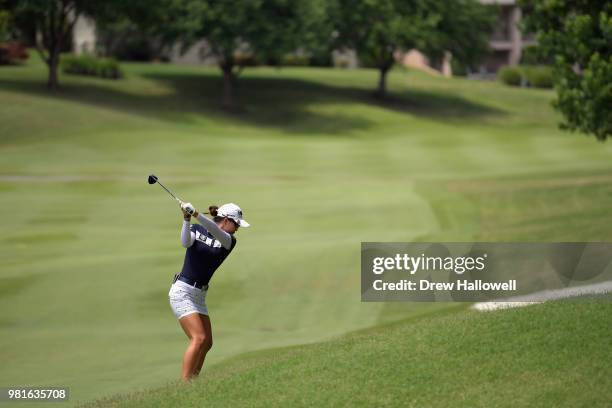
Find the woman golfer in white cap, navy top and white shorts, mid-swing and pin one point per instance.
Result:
(208, 244)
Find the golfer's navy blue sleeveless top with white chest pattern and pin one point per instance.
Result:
(205, 255)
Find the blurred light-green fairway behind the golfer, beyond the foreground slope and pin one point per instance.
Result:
(318, 165)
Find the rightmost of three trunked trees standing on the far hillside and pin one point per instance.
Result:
(376, 29)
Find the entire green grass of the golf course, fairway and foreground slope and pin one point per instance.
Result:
(318, 164)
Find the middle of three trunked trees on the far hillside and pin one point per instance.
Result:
(265, 29)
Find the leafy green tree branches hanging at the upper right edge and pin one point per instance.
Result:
(578, 35)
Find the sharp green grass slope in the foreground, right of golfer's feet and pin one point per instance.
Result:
(554, 354)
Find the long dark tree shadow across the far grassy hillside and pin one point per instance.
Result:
(291, 105)
